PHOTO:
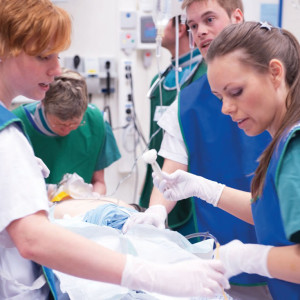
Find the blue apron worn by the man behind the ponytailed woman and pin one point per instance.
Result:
(218, 150)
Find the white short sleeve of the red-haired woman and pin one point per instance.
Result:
(22, 186)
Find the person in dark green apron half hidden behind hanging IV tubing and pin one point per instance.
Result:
(162, 93)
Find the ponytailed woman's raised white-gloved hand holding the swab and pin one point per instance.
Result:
(181, 185)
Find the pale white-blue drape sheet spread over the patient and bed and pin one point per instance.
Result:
(145, 241)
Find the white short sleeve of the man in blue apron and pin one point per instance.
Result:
(172, 146)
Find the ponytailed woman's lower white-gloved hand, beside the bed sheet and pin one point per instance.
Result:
(249, 258)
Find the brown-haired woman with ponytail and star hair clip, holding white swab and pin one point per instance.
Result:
(260, 92)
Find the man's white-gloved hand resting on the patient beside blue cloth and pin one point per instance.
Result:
(155, 215)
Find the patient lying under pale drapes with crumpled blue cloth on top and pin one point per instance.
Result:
(101, 220)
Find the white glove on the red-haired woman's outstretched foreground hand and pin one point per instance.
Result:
(192, 278)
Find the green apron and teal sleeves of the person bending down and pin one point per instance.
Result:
(81, 151)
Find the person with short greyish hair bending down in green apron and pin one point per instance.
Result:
(68, 134)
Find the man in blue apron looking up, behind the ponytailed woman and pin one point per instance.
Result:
(199, 138)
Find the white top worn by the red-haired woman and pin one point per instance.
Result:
(23, 192)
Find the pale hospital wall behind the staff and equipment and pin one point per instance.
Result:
(96, 33)
